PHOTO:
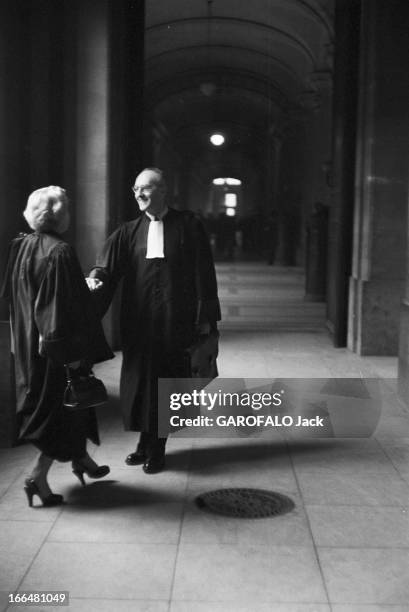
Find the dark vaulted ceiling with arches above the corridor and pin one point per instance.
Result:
(237, 66)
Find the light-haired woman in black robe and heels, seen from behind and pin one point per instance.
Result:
(53, 323)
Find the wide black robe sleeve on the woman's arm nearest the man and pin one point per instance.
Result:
(68, 325)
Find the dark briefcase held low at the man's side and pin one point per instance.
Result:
(201, 357)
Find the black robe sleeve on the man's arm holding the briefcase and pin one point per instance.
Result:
(208, 310)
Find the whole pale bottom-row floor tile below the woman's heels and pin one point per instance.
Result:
(106, 571)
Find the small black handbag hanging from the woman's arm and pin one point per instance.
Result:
(83, 391)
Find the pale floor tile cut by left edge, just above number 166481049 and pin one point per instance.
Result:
(19, 543)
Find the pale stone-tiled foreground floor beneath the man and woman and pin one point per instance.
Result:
(138, 543)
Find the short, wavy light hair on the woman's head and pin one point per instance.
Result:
(47, 209)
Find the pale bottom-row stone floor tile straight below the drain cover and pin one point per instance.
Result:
(247, 575)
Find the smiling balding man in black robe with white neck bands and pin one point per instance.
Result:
(169, 295)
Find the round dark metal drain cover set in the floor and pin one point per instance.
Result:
(244, 503)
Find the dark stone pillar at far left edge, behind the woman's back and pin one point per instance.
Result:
(14, 164)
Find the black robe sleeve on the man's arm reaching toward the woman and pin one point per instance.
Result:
(109, 269)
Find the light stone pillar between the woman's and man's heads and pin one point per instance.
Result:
(92, 129)
